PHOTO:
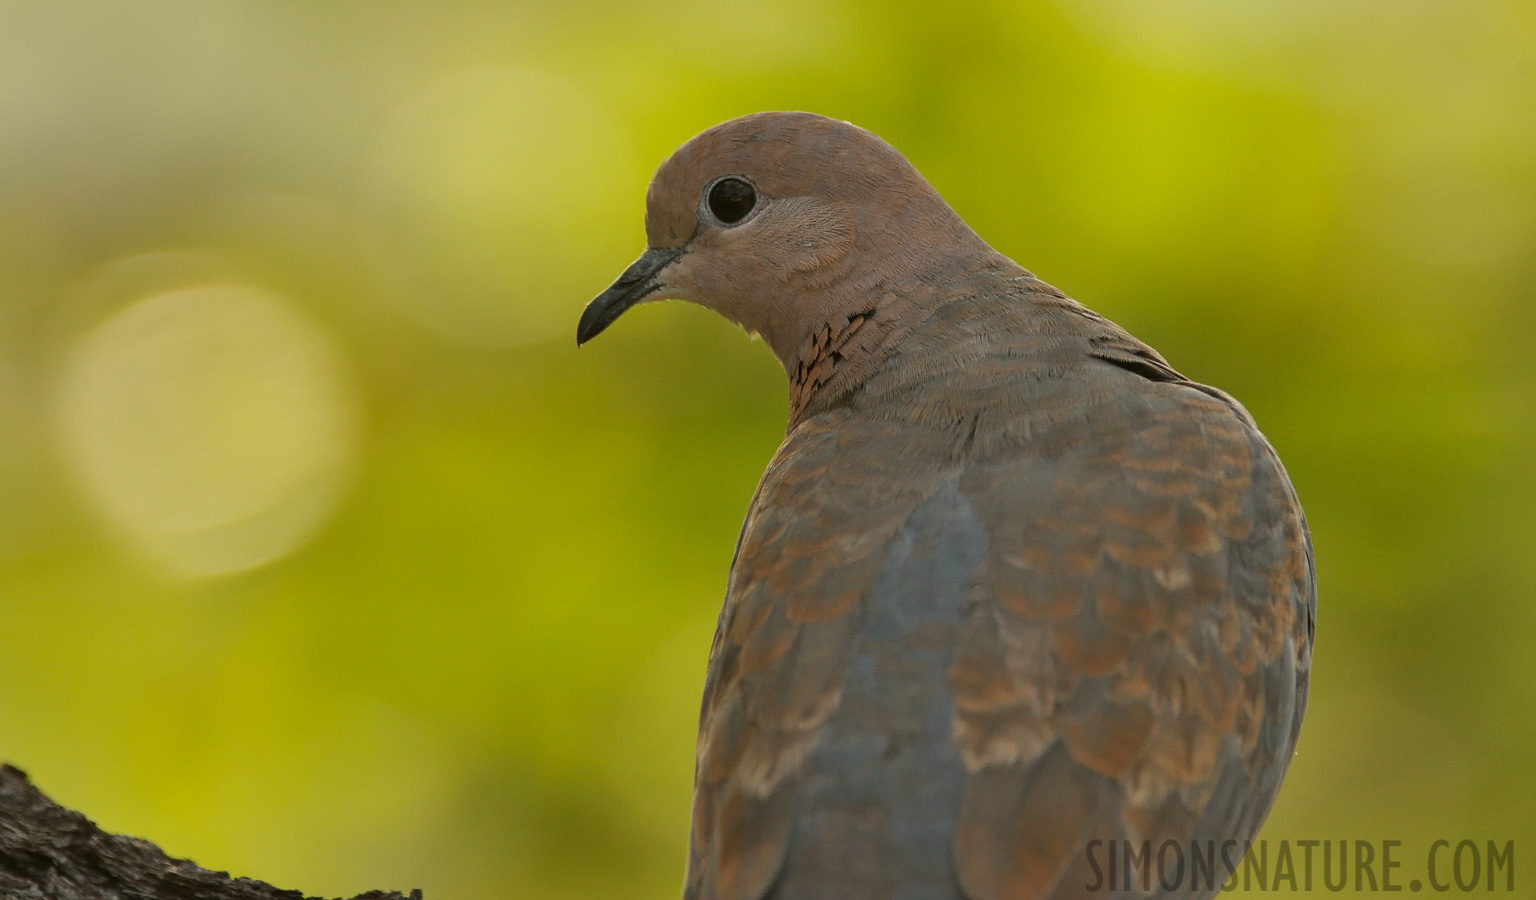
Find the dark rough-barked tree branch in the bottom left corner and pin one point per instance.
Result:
(50, 853)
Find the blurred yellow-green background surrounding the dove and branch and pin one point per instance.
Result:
(326, 558)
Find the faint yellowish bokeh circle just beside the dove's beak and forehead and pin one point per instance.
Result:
(502, 199)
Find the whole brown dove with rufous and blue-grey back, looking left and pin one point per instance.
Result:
(1011, 597)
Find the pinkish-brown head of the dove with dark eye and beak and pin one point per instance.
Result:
(778, 222)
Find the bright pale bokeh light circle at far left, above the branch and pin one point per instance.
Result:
(211, 423)
